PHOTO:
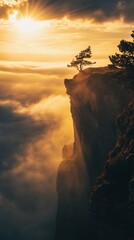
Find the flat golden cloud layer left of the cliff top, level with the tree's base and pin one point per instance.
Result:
(16, 79)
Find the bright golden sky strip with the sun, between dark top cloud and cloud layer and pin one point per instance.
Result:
(27, 39)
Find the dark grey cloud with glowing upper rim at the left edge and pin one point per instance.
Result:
(21, 128)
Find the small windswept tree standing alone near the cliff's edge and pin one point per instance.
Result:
(80, 60)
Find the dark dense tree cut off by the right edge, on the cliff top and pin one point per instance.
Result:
(126, 58)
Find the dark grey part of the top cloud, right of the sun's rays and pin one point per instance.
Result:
(98, 10)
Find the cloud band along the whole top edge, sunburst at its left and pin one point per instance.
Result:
(96, 10)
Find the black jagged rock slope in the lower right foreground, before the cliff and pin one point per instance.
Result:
(112, 201)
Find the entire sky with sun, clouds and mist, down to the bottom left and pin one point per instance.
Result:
(37, 41)
